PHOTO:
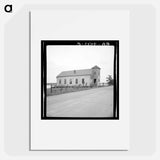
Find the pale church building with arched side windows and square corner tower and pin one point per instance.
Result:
(83, 77)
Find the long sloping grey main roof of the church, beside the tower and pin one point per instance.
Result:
(81, 72)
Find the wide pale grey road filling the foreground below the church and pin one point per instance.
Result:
(96, 102)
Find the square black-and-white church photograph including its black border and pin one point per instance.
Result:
(80, 79)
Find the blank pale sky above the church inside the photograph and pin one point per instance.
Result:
(63, 58)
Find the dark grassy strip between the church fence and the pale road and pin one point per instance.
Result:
(62, 90)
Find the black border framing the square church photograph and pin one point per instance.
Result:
(45, 43)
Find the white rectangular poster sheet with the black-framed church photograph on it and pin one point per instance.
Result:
(79, 80)
